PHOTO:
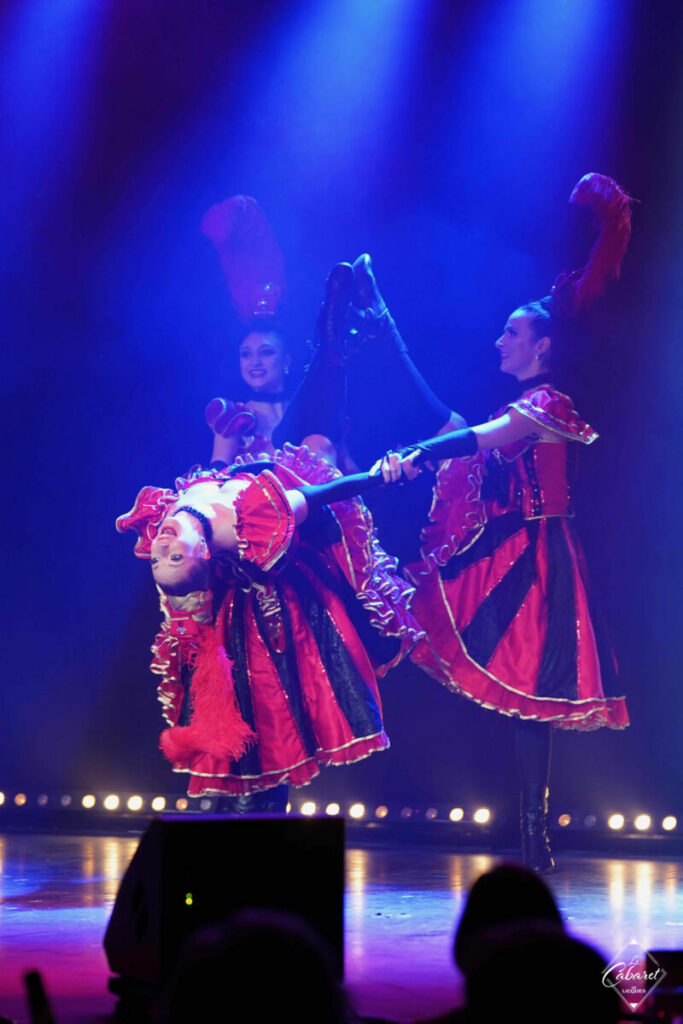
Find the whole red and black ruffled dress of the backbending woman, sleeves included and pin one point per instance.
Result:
(275, 674)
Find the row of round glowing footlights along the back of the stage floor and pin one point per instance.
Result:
(358, 813)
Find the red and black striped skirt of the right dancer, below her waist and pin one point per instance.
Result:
(511, 626)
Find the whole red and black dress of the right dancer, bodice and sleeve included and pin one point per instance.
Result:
(502, 583)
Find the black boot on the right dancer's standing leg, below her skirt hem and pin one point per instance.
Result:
(533, 747)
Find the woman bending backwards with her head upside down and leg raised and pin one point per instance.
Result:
(281, 611)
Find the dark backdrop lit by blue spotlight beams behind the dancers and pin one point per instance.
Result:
(444, 139)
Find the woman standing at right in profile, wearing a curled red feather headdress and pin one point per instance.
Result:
(502, 583)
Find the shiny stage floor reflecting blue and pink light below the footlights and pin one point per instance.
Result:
(402, 907)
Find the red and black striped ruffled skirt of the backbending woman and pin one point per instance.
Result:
(307, 643)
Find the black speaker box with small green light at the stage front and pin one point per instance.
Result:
(189, 873)
